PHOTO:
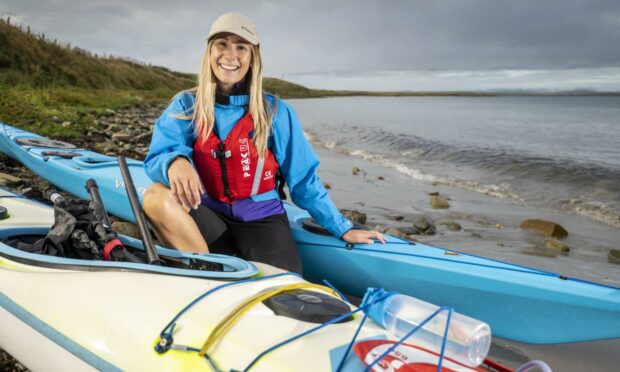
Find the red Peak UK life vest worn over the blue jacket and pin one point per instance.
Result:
(231, 169)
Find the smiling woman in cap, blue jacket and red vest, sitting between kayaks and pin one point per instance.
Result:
(229, 140)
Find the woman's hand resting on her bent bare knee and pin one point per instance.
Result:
(185, 183)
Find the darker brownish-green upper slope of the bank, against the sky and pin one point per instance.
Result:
(34, 60)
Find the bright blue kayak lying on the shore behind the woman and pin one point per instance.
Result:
(519, 303)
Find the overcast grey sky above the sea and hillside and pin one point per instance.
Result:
(362, 44)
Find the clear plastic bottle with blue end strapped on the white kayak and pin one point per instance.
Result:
(468, 341)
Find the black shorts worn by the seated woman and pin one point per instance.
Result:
(268, 240)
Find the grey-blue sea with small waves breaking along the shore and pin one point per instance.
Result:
(559, 153)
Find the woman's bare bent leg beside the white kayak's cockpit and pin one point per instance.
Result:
(172, 222)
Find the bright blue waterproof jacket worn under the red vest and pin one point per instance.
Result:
(174, 137)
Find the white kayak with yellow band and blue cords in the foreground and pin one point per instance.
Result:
(66, 315)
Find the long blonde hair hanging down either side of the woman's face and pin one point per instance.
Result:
(204, 107)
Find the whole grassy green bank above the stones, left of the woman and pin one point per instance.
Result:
(43, 82)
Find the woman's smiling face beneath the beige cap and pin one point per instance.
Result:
(230, 60)
